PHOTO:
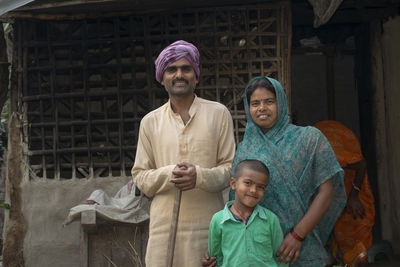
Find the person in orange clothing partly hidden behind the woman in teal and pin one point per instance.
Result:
(353, 230)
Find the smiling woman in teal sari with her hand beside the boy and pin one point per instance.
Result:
(305, 189)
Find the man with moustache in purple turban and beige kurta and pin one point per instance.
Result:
(187, 144)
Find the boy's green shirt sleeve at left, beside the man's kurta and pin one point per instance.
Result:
(214, 240)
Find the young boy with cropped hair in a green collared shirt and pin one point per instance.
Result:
(244, 233)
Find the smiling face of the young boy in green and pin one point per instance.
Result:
(249, 188)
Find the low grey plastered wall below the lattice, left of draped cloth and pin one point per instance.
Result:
(45, 206)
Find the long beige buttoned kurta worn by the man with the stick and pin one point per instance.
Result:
(207, 142)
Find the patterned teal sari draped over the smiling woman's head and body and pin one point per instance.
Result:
(300, 159)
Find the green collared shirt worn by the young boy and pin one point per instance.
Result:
(253, 244)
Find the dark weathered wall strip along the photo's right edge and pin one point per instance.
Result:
(385, 40)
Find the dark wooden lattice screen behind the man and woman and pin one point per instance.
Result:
(86, 84)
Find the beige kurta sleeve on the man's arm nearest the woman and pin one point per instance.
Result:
(216, 179)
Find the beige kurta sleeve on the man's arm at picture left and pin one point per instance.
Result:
(149, 179)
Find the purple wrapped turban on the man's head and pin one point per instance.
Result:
(175, 51)
